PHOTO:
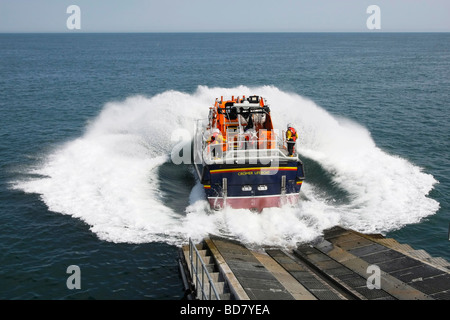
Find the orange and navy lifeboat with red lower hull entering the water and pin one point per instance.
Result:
(241, 160)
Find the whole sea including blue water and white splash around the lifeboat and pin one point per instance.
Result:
(89, 122)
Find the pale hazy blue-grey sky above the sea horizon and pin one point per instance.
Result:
(224, 15)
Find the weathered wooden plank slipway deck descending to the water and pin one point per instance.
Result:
(336, 267)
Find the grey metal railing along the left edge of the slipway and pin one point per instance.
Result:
(200, 267)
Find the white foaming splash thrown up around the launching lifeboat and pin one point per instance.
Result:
(109, 176)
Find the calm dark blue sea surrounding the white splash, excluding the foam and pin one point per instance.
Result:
(53, 85)
